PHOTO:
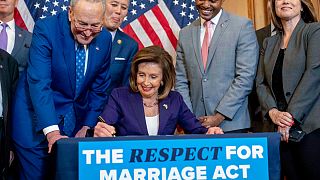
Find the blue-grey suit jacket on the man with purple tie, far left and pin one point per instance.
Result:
(21, 47)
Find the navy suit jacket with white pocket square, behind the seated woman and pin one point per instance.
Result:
(124, 49)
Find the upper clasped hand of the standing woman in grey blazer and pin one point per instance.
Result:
(282, 119)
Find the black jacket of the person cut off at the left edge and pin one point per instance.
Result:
(8, 77)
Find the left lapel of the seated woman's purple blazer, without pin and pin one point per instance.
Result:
(137, 104)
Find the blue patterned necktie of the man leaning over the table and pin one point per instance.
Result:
(70, 117)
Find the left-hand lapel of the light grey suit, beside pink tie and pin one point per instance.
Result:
(196, 43)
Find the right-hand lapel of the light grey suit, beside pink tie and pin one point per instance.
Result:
(218, 32)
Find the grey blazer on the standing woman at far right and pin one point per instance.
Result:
(301, 74)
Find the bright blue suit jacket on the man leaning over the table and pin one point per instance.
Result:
(51, 79)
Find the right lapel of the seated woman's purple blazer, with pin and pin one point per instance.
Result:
(164, 114)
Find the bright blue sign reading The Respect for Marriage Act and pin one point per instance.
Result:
(204, 157)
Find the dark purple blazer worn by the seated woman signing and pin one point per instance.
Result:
(125, 111)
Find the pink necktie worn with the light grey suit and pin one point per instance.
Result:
(206, 43)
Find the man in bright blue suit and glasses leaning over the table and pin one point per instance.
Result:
(67, 77)
